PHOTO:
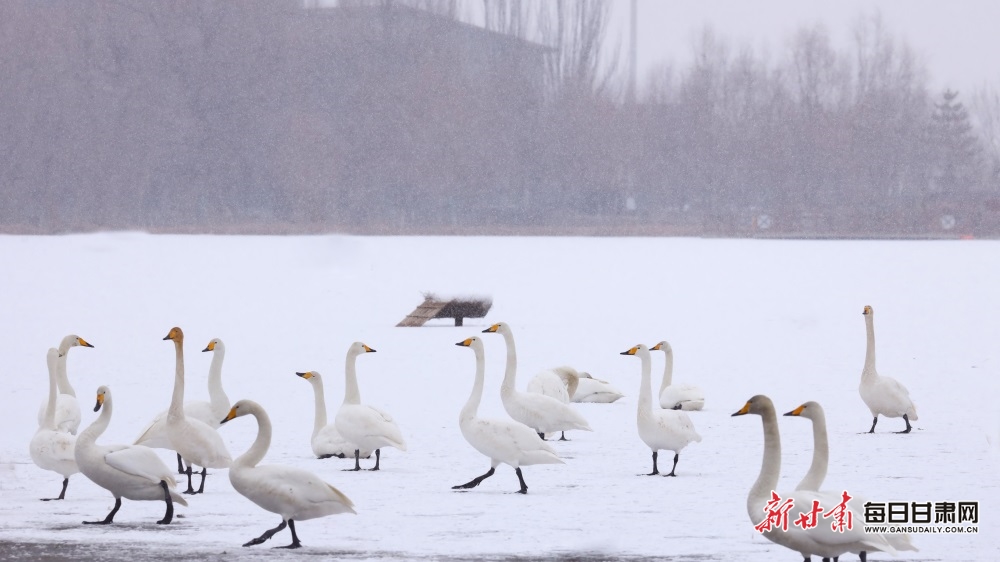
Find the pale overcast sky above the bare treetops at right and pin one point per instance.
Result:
(959, 40)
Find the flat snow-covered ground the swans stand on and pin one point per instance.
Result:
(781, 318)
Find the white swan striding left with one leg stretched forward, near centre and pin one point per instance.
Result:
(503, 441)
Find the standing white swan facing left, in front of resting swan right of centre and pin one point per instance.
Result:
(670, 430)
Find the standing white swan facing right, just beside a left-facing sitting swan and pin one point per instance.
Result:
(366, 426)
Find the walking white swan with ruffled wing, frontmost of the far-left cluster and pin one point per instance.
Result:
(127, 471)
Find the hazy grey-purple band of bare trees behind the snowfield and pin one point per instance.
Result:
(397, 117)
